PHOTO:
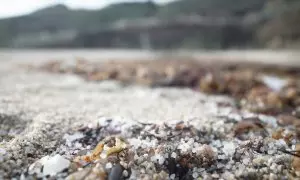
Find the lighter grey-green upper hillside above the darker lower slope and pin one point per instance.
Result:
(280, 19)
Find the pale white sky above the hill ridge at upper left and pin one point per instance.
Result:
(10, 8)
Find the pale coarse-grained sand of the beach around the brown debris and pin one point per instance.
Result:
(38, 109)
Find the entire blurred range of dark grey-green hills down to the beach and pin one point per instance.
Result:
(150, 24)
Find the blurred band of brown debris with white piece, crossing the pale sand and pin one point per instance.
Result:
(256, 89)
